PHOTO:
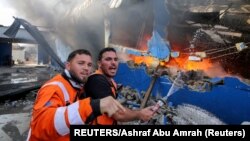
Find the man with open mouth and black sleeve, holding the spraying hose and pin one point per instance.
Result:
(101, 84)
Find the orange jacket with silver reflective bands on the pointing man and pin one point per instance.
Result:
(55, 110)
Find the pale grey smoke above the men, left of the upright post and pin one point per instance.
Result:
(76, 22)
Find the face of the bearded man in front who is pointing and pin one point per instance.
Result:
(80, 66)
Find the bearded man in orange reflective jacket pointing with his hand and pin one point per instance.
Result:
(57, 105)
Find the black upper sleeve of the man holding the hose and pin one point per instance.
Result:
(97, 87)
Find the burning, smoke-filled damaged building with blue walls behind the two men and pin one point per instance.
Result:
(193, 55)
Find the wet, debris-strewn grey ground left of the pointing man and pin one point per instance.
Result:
(18, 90)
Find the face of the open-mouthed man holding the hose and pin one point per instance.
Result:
(109, 63)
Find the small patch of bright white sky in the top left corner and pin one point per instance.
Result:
(6, 13)
